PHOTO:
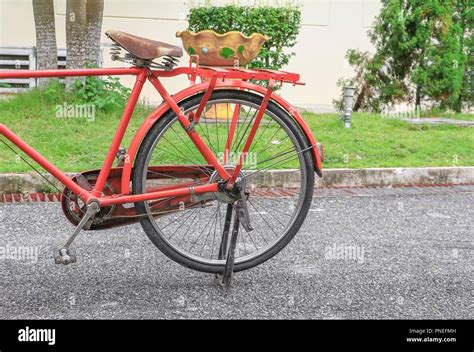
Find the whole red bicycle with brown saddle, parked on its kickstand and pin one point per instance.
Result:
(220, 175)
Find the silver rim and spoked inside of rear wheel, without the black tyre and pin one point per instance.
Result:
(195, 233)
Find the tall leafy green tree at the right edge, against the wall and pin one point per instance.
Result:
(424, 54)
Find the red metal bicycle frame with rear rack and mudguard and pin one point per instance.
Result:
(234, 78)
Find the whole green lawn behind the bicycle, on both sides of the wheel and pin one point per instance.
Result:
(77, 144)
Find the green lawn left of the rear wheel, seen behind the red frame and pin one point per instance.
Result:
(70, 144)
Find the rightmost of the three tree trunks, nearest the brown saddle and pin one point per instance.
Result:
(94, 12)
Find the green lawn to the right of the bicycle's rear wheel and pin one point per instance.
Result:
(377, 142)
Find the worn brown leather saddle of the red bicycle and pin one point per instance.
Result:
(143, 48)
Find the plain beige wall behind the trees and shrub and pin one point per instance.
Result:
(329, 28)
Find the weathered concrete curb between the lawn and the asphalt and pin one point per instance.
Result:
(376, 177)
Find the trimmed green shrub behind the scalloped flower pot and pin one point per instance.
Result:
(281, 24)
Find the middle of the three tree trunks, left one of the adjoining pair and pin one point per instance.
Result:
(75, 36)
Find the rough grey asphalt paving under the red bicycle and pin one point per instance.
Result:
(412, 259)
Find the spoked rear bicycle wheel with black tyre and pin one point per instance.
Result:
(277, 175)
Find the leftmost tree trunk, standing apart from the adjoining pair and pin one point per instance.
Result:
(46, 47)
